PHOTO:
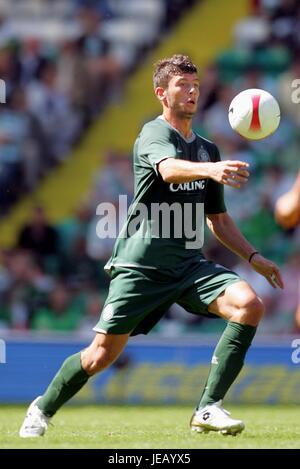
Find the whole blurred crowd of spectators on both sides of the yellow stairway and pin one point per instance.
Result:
(53, 279)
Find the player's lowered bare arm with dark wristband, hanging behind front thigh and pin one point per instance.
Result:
(225, 230)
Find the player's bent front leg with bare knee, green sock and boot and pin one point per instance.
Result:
(241, 307)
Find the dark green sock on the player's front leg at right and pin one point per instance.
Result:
(227, 361)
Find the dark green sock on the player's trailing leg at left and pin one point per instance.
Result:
(66, 383)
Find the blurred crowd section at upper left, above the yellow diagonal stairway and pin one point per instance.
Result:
(62, 61)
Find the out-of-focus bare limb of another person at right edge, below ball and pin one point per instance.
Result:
(287, 210)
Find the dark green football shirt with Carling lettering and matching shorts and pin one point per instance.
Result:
(157, 258)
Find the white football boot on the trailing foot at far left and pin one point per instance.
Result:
(35, 423)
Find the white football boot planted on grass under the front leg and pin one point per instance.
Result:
(213, 418)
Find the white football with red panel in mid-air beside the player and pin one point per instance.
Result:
(254, 114)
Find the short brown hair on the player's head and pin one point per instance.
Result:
(166, 68)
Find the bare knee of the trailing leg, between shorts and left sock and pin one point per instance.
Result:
(102, 352)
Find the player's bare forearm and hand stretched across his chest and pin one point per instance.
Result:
(230, 173)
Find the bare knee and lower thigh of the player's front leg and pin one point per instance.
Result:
(238, 303)
